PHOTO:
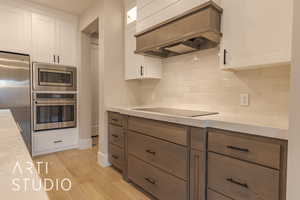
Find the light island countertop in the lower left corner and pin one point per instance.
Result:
(12, 151)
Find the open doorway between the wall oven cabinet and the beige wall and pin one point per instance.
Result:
(90, 81)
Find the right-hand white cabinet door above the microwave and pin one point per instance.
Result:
(66, 42)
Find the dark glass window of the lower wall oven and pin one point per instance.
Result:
(55, 114)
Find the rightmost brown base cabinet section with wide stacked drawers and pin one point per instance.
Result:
(246, 167)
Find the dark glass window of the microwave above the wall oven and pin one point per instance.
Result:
(55, 77)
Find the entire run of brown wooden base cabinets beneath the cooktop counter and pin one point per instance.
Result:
(176, 162)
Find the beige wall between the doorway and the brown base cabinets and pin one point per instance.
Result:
(113, 89)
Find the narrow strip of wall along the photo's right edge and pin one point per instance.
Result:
(294, 136)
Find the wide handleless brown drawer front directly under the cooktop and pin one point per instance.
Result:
(170, 132)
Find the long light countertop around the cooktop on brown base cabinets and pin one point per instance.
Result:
(250, 124)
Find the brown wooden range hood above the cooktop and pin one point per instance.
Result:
(194, 30)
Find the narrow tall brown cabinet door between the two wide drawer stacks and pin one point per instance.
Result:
(197, 175)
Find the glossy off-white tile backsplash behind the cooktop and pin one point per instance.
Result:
(201, 84)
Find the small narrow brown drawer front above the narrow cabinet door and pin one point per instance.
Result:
(198, 138)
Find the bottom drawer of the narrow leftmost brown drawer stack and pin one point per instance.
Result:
(116, 156)
